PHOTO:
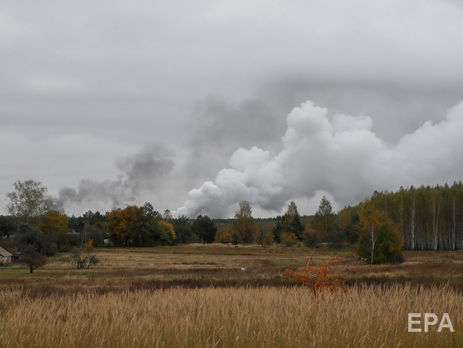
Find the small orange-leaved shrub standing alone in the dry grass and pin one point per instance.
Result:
(318, 278)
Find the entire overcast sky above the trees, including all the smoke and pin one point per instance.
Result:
(197, 105)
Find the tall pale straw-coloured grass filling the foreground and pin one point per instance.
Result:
(238, 317)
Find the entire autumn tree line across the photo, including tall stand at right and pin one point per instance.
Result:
(414, 218)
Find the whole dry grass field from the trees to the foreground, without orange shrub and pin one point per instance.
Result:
(197, 296)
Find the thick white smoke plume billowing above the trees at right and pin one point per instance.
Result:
(340, 155)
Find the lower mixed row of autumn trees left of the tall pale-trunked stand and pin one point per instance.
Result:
(34, 224)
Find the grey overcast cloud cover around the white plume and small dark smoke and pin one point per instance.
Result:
(130, 74)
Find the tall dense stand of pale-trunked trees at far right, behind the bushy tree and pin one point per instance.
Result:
(428, 217)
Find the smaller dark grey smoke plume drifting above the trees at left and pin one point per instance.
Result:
(138, 173)
